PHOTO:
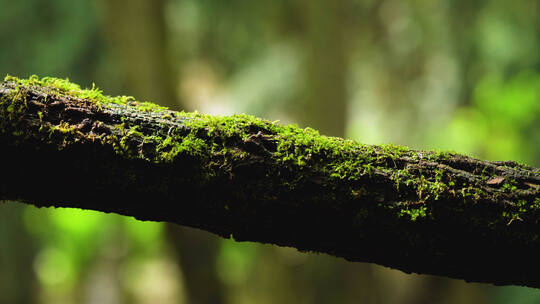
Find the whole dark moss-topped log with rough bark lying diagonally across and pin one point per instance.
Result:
(254, 180)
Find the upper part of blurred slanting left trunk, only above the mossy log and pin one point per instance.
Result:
(137, 32)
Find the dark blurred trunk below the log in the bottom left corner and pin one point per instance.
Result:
(17, 252)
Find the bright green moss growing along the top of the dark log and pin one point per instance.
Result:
(214, 138)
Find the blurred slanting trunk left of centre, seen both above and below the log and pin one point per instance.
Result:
(137, 31)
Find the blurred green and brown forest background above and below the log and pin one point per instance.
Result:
(452, 75)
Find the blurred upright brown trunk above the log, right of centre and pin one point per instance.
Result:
(325, 68)
